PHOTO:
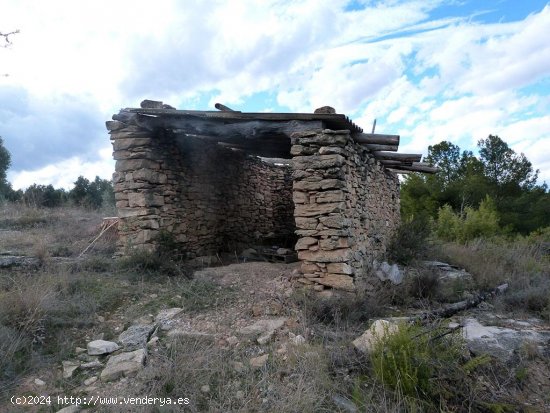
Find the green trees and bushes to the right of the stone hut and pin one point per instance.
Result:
(493, 193)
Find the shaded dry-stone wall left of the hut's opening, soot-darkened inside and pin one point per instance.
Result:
(210, 198)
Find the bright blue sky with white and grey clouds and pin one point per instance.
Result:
(429, 70)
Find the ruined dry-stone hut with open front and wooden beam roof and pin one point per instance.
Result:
(226, 180)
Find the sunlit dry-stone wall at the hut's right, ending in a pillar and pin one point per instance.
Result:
(346, 209)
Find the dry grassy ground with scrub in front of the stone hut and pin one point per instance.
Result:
(50, 308)
